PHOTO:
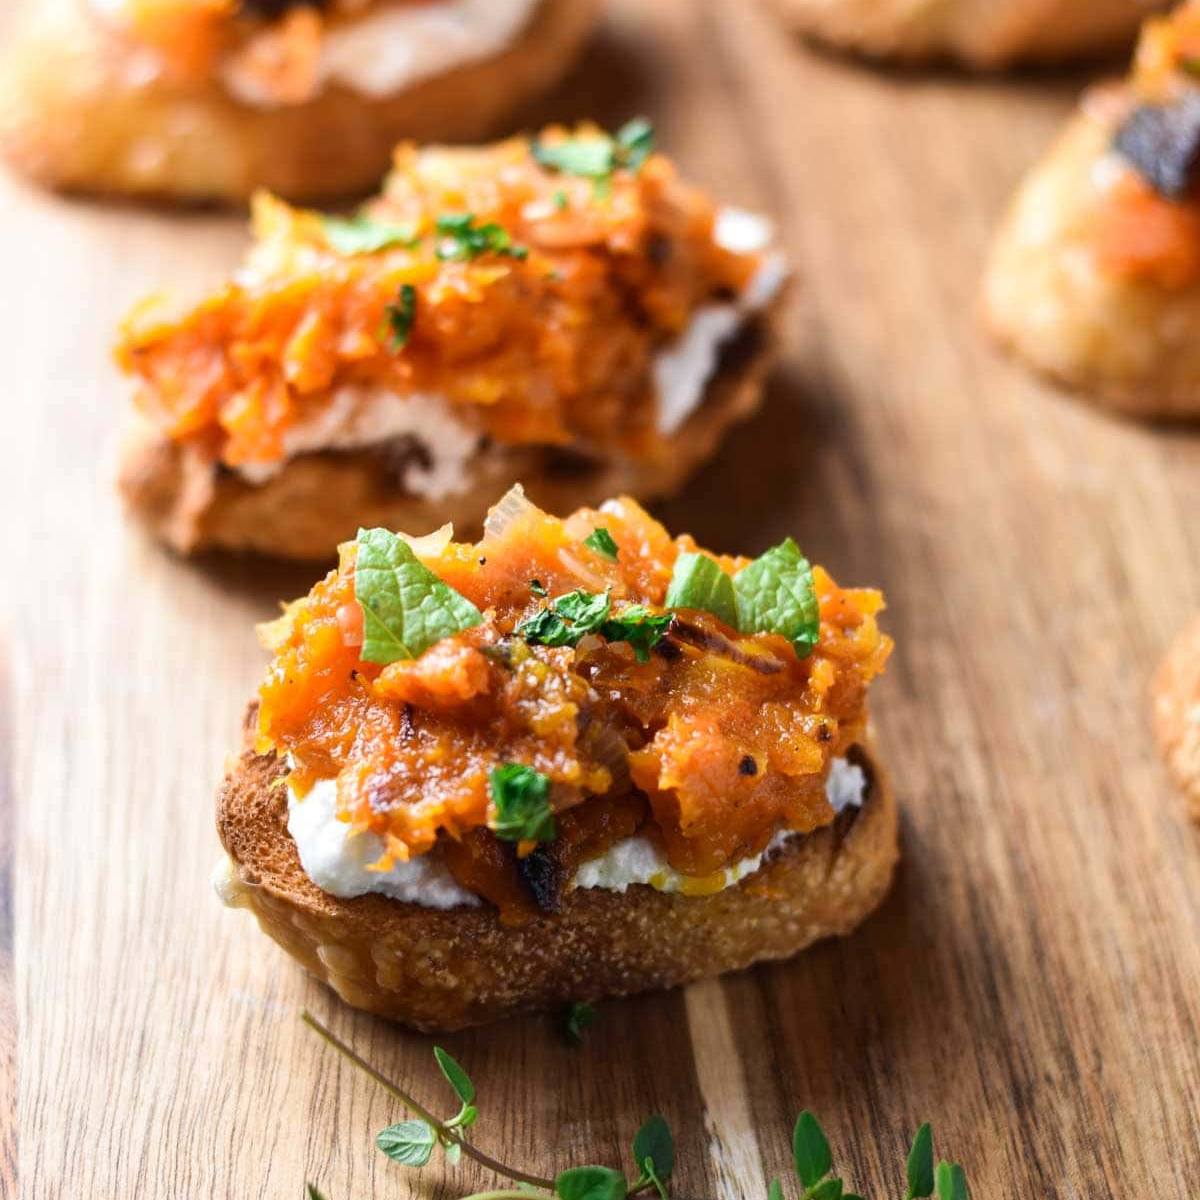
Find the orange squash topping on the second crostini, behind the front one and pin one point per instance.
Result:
(530, 298)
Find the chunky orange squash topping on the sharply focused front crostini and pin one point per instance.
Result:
(668, 723)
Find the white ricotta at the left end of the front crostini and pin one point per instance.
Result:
(339, 861)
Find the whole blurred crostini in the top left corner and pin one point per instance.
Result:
(209, 100)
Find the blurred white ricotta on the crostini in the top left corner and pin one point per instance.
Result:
(399, 46)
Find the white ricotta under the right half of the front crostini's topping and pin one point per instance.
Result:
(639, 861)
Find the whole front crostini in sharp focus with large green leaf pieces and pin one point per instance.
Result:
(577, 760)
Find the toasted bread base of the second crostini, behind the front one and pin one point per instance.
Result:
(321, 500)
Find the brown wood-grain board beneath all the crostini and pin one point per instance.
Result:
(1033, 986)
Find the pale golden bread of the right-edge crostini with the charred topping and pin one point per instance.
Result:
(1131, 346)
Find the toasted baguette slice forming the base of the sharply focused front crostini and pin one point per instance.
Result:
(446, 970)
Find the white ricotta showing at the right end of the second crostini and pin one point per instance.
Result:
(682, 371)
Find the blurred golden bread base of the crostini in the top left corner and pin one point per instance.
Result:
(79, 113)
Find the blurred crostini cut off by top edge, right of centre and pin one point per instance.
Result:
(985, 34)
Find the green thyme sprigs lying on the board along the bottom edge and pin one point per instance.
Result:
(413, 1143)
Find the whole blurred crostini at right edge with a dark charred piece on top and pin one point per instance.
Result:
(1095, 277)
